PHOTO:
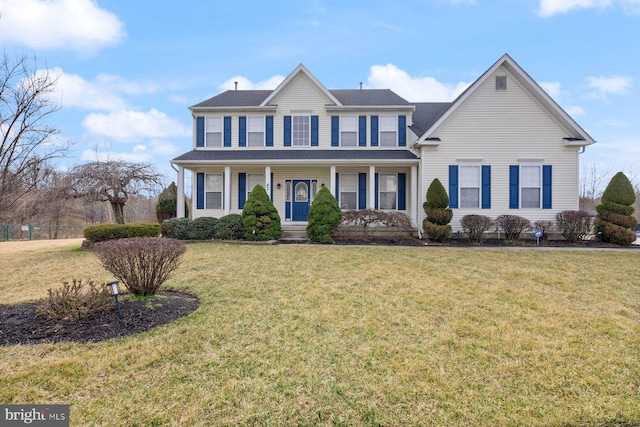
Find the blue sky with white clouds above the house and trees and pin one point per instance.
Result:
(129, 70)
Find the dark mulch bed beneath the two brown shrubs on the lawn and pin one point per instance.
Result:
(19, 324)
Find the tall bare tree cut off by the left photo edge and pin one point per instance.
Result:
(27, 141)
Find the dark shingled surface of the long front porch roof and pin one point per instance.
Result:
(302, 155)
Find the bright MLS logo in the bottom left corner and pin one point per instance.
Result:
(36, 415)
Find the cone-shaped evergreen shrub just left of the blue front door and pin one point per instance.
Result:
(260, 218)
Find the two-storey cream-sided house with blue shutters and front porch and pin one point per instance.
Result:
(502, 147)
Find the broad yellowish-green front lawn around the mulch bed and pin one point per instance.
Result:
(338, 335)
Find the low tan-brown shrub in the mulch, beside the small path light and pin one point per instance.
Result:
(75, 300)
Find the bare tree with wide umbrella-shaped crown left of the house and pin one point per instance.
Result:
(114, 181)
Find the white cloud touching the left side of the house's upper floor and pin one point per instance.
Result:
(134, 125)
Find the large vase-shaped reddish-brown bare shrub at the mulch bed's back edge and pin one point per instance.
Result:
(141, 264)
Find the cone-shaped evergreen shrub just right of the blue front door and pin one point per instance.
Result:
(324, 216)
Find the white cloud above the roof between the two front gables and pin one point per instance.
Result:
(414, 89)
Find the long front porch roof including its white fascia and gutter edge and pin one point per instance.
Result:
(295, 157)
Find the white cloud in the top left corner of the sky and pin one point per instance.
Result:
(68, 24)
